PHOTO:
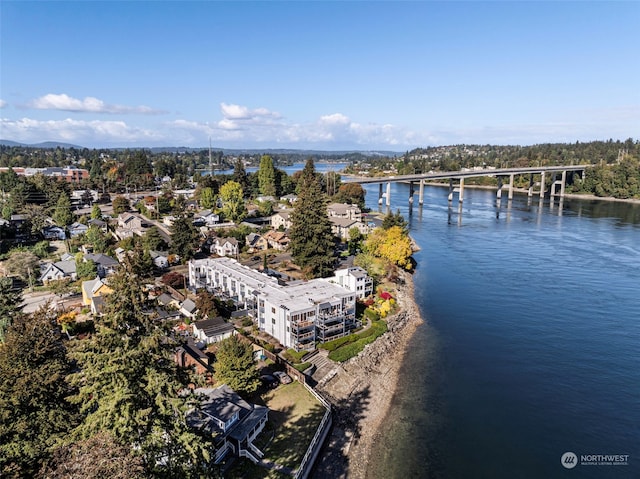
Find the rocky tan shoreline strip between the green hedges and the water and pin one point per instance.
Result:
(361, 391)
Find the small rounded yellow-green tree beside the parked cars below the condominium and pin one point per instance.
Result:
(235, 366)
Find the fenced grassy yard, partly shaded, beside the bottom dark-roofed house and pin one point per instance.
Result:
(294, 416)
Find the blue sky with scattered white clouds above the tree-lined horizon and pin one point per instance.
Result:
(320, 75)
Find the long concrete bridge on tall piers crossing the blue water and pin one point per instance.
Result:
(557, 184)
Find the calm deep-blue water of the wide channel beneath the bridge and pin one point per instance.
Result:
(531, 346)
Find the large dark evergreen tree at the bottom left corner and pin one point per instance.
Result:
(34, 414)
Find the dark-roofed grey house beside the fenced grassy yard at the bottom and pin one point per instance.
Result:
(232, 421)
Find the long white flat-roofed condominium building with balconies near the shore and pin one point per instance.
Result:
(298, 314)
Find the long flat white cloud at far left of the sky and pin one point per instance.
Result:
(89, 104)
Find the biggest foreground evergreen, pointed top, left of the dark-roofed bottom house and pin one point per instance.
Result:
(129, 386)
